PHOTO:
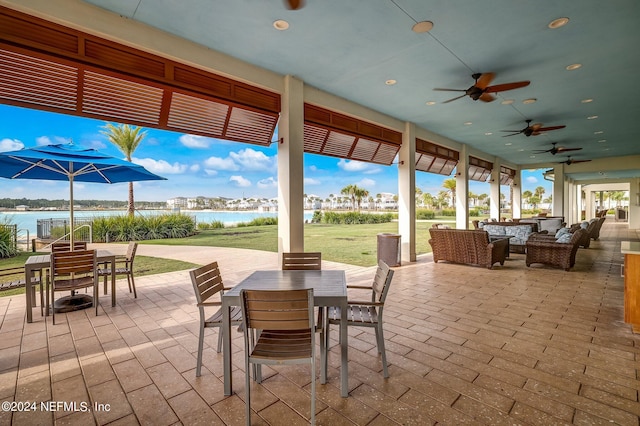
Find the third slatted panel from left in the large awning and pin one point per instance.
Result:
(202, 116)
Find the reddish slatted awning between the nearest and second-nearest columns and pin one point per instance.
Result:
(330, 133)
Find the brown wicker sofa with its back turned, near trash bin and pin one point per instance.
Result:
(467, 246)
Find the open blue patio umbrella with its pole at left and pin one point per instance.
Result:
(70, 163)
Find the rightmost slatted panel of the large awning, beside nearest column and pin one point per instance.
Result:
(250, 126)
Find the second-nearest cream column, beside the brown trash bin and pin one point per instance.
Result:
(407, 193)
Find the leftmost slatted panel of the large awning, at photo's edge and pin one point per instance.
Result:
(25, 79)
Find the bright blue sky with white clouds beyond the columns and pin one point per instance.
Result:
(195, 165)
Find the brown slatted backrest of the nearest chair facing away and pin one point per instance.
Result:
(278, 309)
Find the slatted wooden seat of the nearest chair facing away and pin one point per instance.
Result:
(283, 345)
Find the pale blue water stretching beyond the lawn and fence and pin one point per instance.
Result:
(27, 221)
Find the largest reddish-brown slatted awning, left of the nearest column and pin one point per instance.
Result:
(47, 66)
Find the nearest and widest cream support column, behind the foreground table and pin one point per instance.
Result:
(291, 168)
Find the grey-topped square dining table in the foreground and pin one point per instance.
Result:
(329, 289)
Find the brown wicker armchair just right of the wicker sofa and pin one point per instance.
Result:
(563, 255)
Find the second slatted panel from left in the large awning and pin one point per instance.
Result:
(110, 96)
